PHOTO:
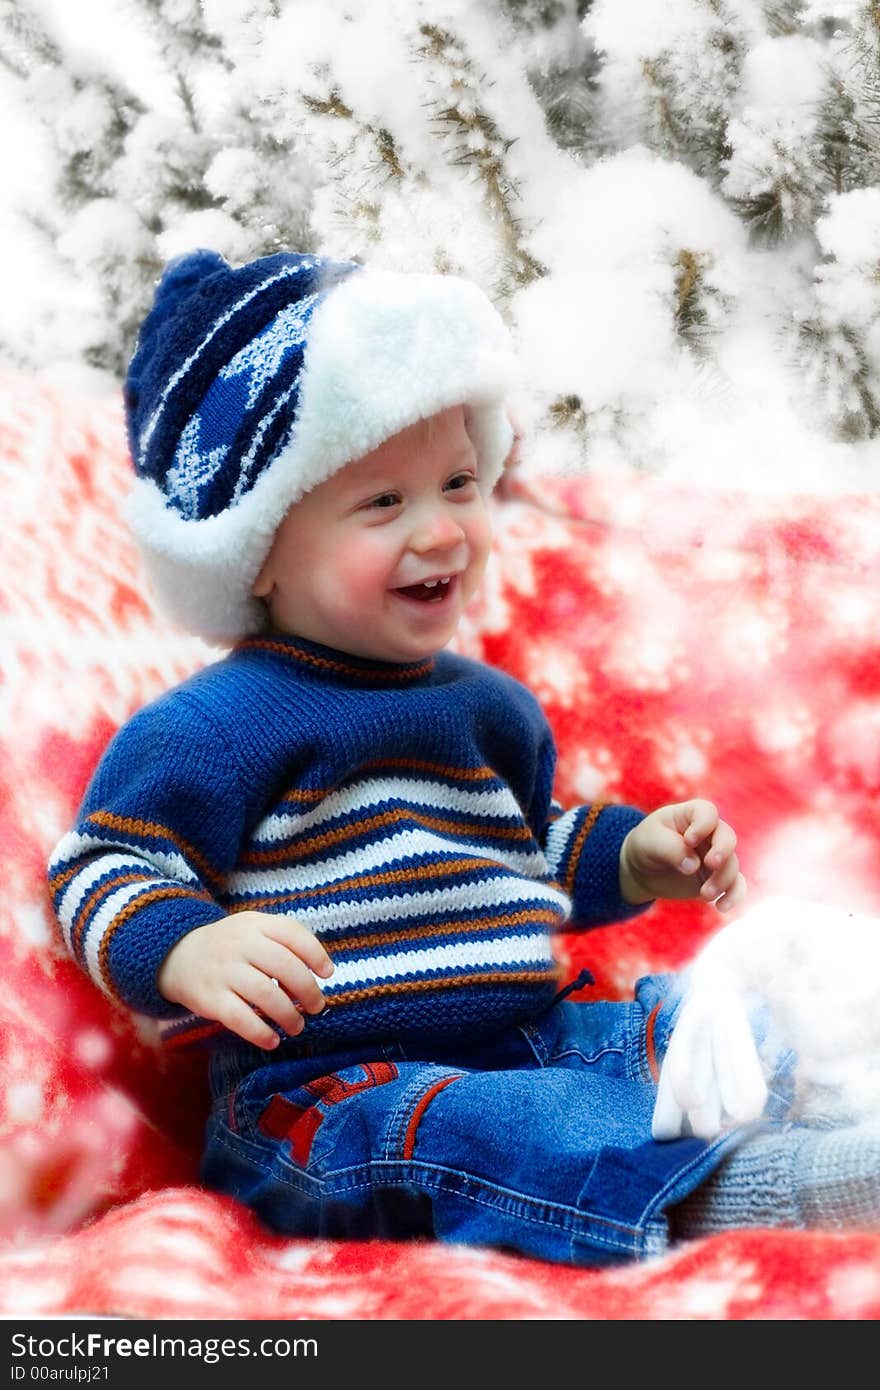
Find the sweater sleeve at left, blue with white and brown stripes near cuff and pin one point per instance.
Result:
(159, 829)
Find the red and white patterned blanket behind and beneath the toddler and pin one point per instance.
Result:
(682, 641)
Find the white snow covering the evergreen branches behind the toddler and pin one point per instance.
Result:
(625, 229)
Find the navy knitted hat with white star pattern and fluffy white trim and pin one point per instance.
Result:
(250, 387)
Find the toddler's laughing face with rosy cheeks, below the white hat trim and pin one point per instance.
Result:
(382, 559)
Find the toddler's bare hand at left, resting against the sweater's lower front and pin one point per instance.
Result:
(244, 963)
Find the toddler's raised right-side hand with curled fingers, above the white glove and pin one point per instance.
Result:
(682, 851)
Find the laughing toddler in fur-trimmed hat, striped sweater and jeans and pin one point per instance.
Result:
(334, 856)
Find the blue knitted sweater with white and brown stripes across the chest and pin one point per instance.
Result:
(404, 814)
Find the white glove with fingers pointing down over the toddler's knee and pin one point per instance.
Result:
(712, 1074)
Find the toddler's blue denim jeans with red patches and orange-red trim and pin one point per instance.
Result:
(537, 1140)
